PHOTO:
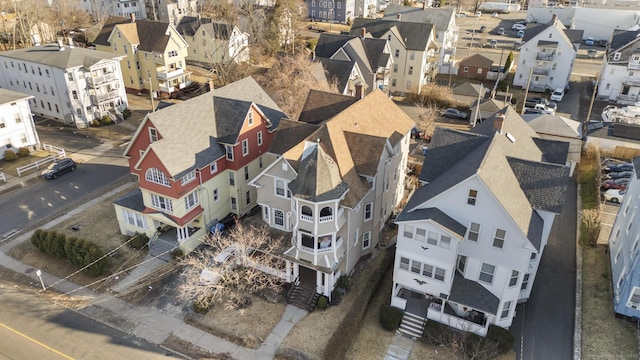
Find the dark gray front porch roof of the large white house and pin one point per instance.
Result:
(470, 293)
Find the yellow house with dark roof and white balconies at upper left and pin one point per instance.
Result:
(153, 53)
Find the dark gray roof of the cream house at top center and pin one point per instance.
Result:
(415, 35)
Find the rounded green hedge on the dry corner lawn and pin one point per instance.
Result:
(79, 252)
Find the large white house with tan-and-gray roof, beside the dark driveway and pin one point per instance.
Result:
(471, 238)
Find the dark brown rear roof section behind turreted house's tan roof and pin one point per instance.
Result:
(321, 106)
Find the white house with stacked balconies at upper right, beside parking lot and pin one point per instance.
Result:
(547, 56)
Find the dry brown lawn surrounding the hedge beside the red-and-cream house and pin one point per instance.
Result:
(97, 224)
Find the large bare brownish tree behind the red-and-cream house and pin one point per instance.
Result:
(288, 83)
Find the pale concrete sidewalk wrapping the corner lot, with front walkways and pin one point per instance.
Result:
(146, 322)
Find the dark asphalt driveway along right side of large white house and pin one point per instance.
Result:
(544, 326)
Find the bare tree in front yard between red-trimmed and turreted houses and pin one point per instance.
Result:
(248, 271)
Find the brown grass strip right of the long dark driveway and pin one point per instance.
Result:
(603, 335)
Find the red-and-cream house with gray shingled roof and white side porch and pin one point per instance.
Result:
(193, 162)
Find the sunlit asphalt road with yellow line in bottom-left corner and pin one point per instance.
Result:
(33, 328)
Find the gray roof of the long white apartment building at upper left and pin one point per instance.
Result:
(65, 59)
